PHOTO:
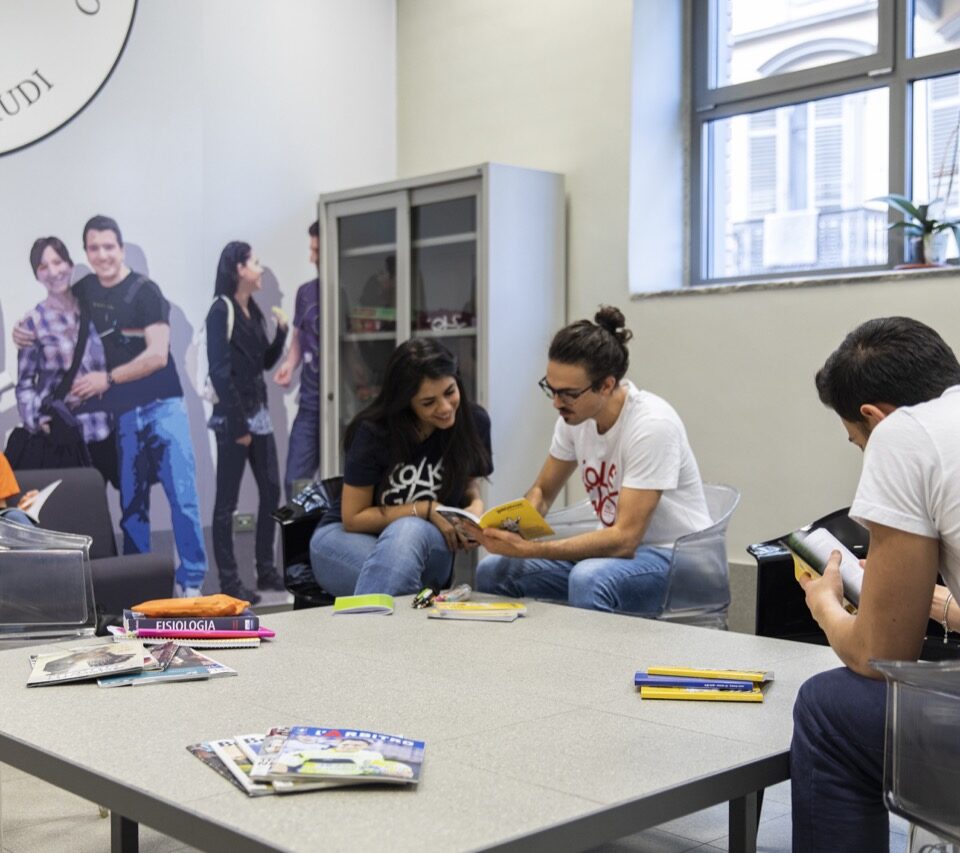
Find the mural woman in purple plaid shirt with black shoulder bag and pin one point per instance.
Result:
(58, 423)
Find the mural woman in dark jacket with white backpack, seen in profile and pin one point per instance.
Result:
(239, 352)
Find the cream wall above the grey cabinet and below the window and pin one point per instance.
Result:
(546, 84)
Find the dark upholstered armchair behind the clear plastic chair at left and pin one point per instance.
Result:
(79, 505)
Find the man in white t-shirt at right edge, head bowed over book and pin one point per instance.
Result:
(896, 386)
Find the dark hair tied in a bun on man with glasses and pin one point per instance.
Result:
(600, 347)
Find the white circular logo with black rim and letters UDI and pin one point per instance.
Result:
(55, 56)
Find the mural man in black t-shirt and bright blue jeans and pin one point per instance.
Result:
(141, 384)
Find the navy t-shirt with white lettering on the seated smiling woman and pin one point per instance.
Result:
(367, 464)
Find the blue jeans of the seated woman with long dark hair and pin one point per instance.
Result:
(409, 554)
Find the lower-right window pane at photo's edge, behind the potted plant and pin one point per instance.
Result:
(936, 124)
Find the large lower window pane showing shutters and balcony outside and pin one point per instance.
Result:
(788, 188)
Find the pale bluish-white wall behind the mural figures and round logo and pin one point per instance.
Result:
(223, 120)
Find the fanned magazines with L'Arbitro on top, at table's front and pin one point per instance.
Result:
(294, 759)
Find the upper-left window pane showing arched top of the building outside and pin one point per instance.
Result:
(754, 39)
